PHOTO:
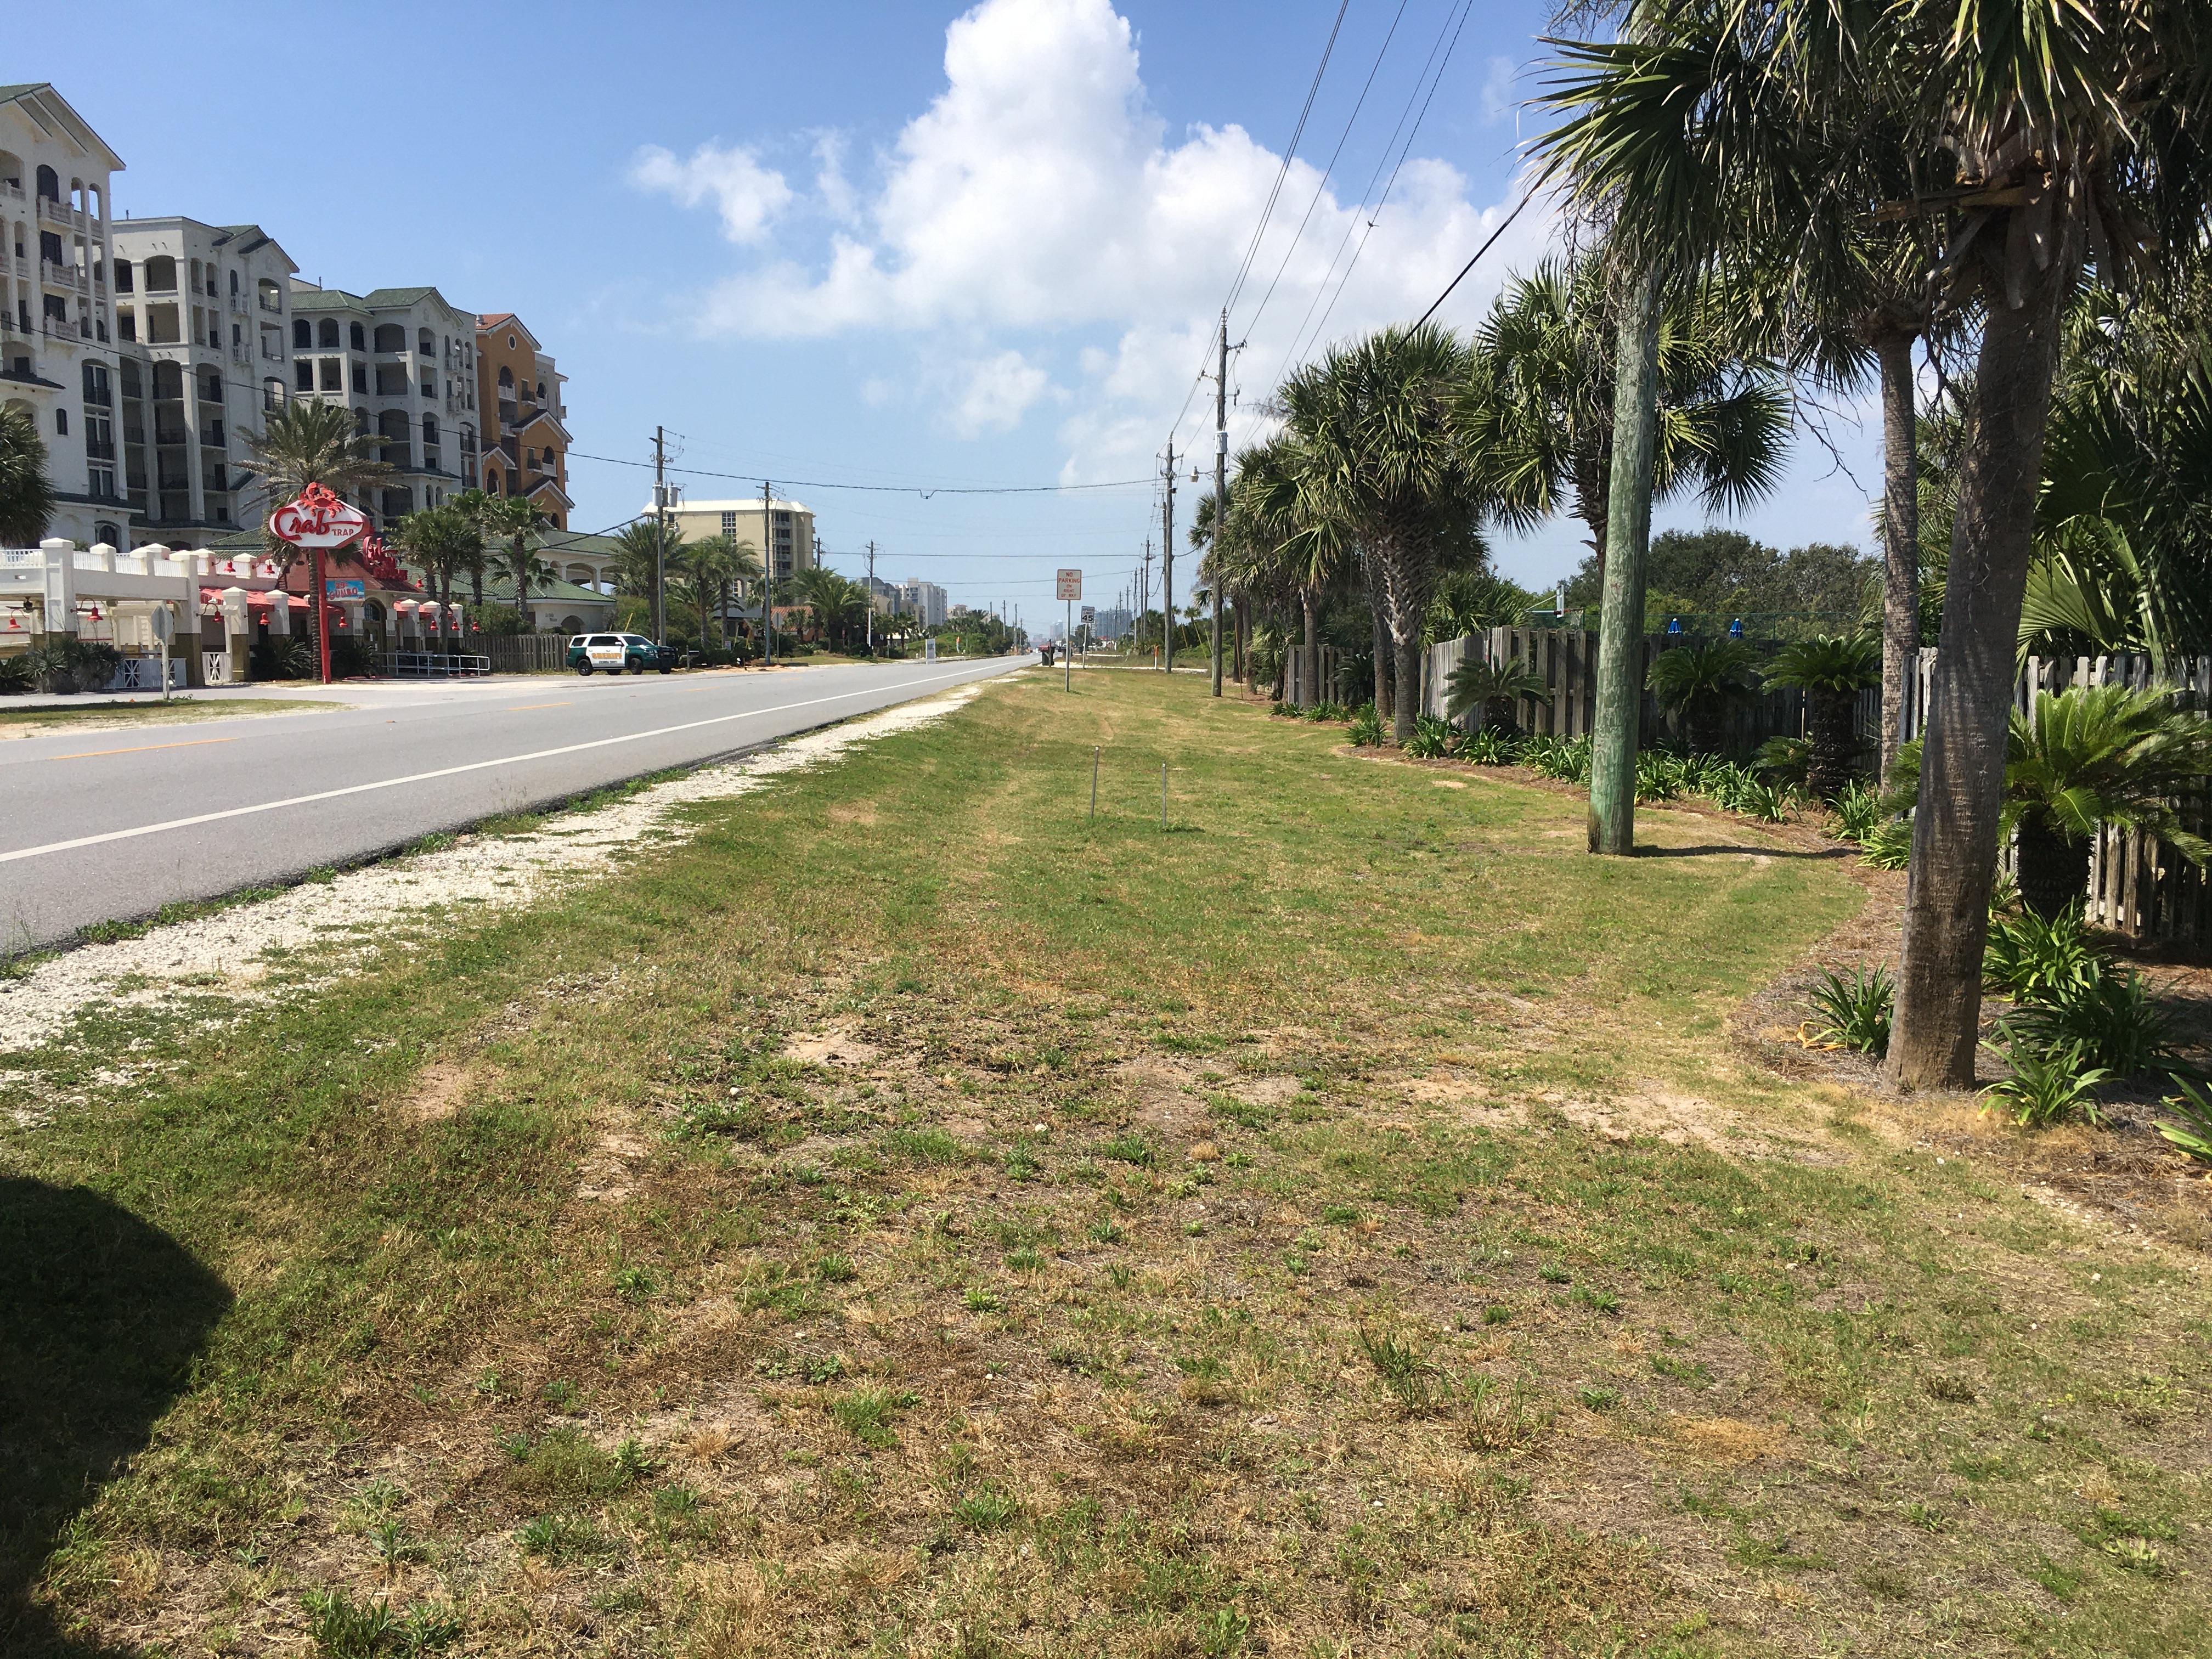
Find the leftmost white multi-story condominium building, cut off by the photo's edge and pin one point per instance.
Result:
(56, 311)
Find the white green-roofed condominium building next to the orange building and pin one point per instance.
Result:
(404, 362)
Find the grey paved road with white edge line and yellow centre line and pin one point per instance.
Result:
(105, 826)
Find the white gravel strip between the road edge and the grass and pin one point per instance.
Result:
(348, 921)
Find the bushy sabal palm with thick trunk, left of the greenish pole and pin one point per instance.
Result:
(1379, 455)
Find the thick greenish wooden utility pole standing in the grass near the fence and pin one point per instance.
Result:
(1629, 525)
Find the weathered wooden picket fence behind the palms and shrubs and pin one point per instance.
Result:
(2138, 886)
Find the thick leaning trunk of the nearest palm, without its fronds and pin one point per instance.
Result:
(1972, 689)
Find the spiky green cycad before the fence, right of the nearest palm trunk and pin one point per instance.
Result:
(2091, 758)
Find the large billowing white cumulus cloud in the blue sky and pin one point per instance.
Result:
(1041, 213)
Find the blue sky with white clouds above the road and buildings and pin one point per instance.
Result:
(881, 244)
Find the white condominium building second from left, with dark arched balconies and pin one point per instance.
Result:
(202, 333)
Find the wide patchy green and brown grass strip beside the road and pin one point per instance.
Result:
(917, 1218)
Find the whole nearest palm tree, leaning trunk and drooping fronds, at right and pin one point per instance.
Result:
(2038, 136)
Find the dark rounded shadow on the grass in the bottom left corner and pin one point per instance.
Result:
(101, 1317)
